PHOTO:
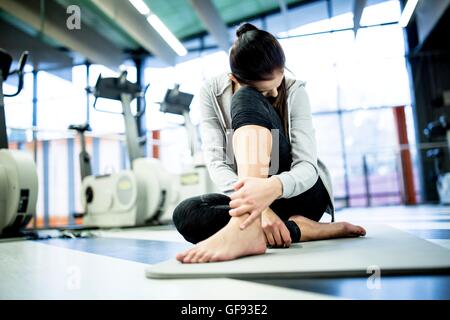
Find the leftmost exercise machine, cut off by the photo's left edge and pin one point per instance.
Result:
(18, 174)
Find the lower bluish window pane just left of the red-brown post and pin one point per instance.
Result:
(372, 156)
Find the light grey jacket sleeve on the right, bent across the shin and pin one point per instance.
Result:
(304, 172)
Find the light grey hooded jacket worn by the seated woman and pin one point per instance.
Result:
(215, 101)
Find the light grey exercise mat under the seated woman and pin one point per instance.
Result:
(385, 249)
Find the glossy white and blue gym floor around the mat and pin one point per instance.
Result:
(112, 264)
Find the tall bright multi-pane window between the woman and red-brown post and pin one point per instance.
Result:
(362, 73)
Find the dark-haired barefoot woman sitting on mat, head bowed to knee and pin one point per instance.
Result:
(280, 189)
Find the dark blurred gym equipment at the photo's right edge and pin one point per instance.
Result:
(438, 129)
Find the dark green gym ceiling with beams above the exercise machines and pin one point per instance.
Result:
(113, 28)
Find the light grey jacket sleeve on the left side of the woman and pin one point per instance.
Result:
(214, 142)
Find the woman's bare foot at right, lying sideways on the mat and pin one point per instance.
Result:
(312, 230)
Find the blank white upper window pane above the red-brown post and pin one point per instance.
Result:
(372, 72)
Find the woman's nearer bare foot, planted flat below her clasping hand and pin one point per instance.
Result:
(228, 243)
